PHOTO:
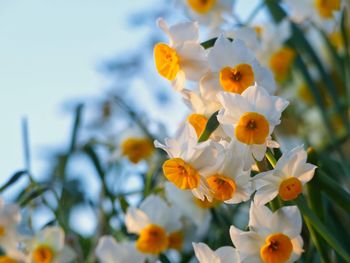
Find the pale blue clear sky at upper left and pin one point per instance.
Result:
(49, 53)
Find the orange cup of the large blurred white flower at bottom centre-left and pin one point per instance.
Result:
(152, 240)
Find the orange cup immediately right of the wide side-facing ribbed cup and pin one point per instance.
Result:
(222, 186)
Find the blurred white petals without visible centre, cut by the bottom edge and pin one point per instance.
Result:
(109, 251)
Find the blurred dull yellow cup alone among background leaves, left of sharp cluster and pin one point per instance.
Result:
(137, 149)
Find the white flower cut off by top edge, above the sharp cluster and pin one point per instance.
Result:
(211, 13)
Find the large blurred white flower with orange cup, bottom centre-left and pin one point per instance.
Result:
(155, 223)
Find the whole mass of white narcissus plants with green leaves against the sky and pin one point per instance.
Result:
(263, 148)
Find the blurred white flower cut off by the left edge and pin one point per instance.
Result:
(9, 218)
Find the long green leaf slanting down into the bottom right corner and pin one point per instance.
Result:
(321, 228)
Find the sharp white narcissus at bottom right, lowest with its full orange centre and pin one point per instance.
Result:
(272, 237)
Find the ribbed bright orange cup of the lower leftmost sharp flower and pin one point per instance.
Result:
(182, 174)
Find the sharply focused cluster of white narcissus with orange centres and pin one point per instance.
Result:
(226, 85)
